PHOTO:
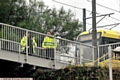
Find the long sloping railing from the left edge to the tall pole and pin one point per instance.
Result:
(66, 49)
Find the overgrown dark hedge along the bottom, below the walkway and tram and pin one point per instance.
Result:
(76, 73)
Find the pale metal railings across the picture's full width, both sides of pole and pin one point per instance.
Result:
(66, 49)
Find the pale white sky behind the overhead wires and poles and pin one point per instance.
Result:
(114, 4)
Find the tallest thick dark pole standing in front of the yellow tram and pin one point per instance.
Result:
(94, 37)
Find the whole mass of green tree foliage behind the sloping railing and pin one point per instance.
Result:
(35, 15)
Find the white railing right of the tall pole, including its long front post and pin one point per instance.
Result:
(108, 58)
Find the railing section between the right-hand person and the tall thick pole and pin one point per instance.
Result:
(77, 52)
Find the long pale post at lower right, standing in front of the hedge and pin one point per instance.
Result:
(110, 63)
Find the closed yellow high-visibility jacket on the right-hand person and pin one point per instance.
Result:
(49, 42)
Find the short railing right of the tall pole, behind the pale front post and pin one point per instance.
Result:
(103, 57)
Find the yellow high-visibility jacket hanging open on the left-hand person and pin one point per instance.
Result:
(23, 43)
